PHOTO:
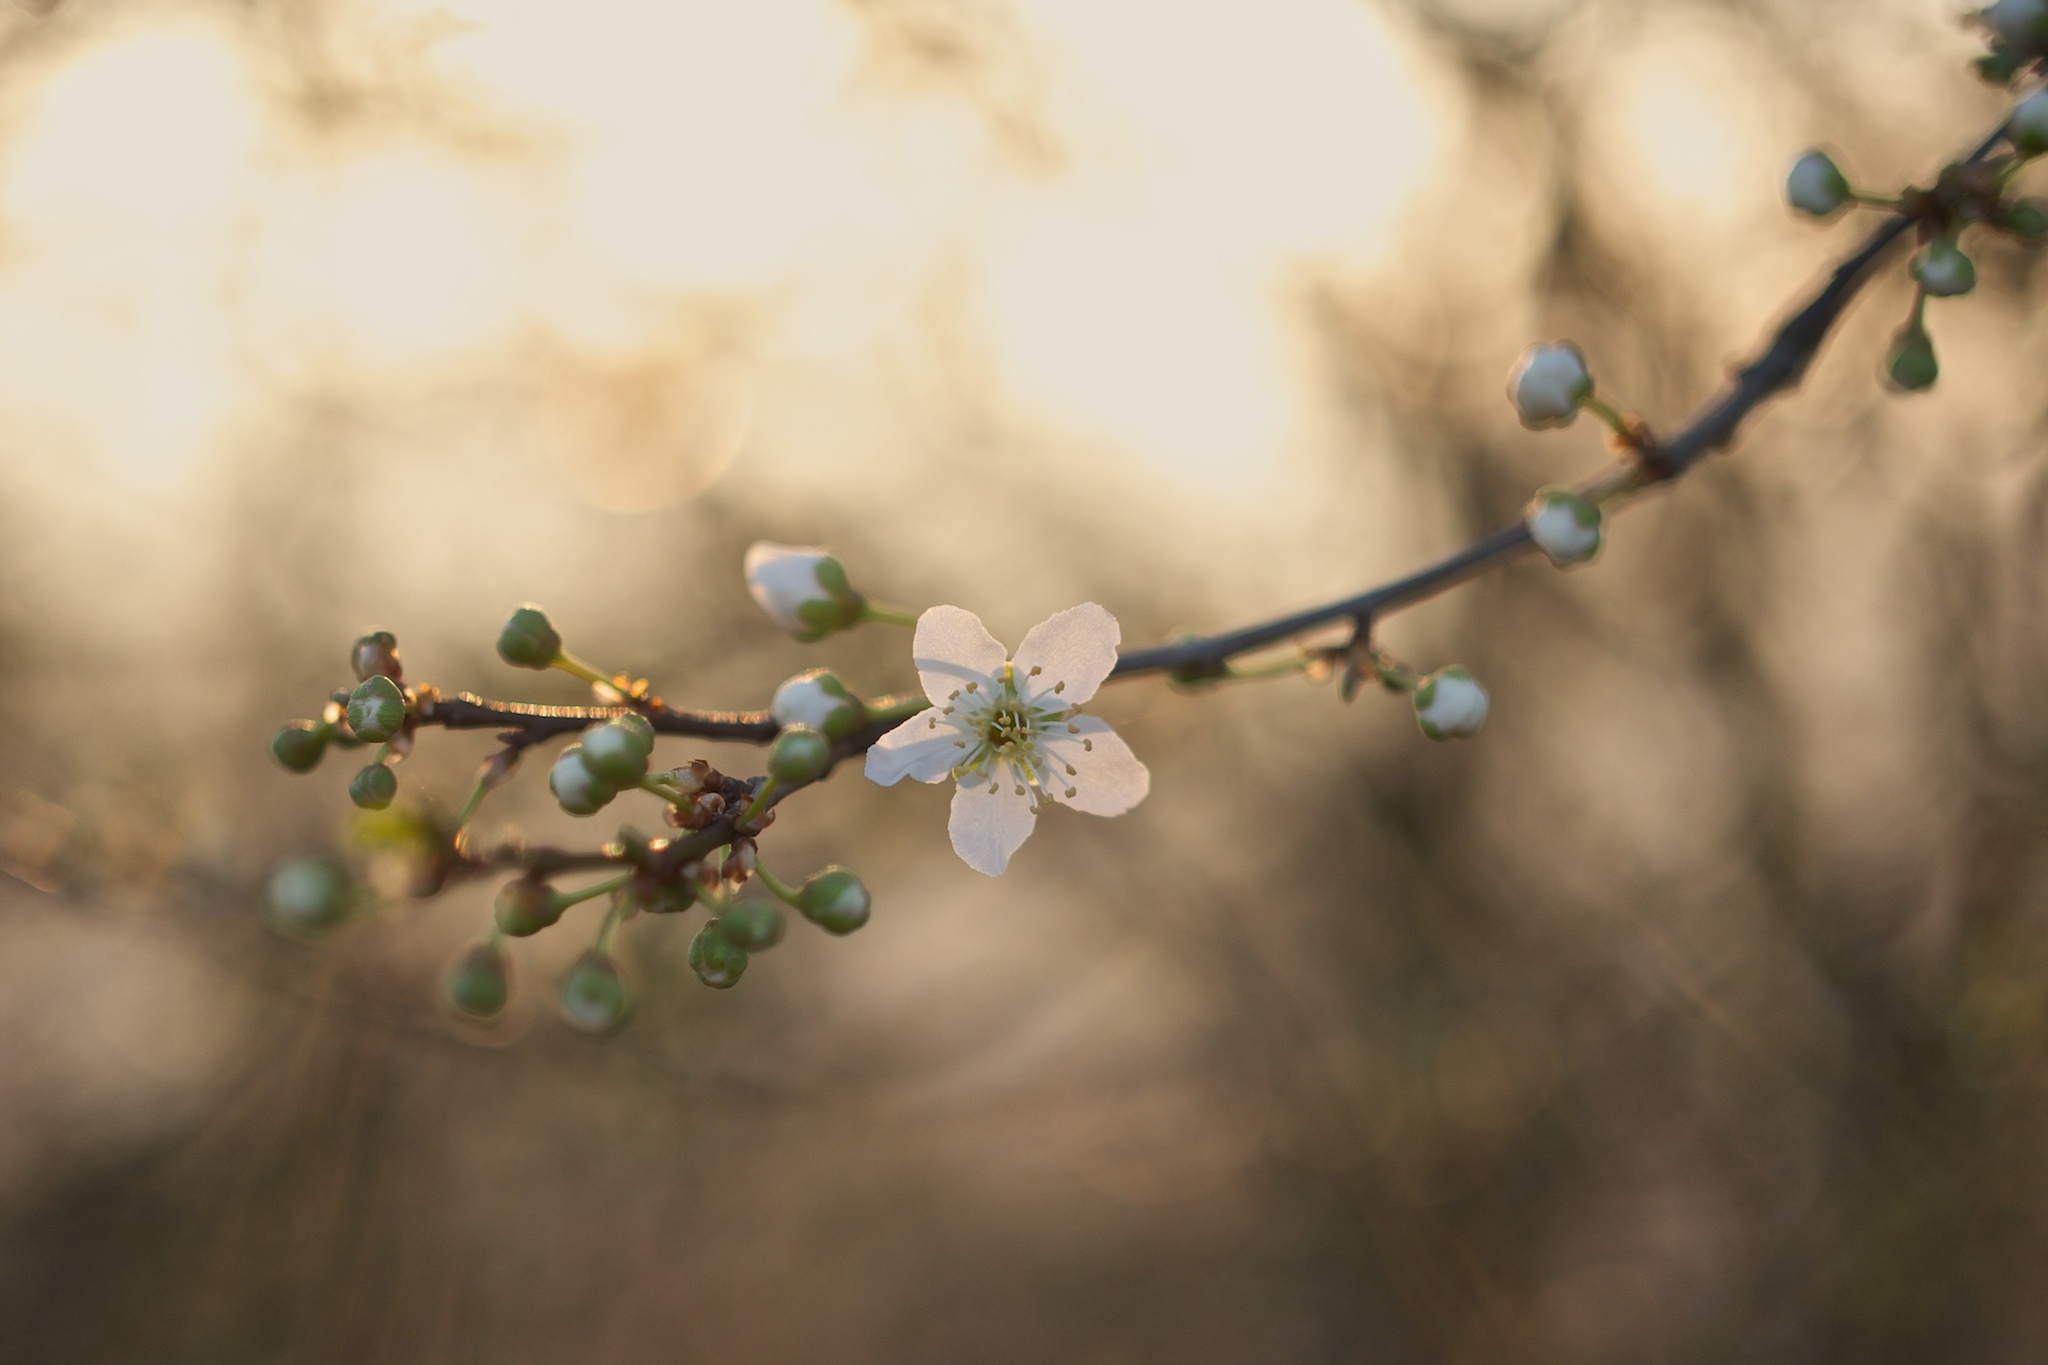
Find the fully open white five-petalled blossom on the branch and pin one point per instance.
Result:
(1011, 732)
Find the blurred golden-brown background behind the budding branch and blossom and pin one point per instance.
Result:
(1691, 1014)
